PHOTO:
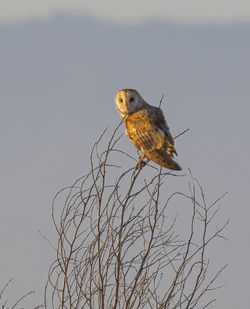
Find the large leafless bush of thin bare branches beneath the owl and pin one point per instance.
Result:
(119, 245)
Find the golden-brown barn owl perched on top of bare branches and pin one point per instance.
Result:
(146, 127)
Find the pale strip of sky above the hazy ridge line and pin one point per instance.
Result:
(129, 11)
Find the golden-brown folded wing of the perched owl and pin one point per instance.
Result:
(149, 132)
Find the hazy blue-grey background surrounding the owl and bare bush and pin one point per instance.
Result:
(58, 77)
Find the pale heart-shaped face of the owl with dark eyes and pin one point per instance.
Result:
(127, 101)
